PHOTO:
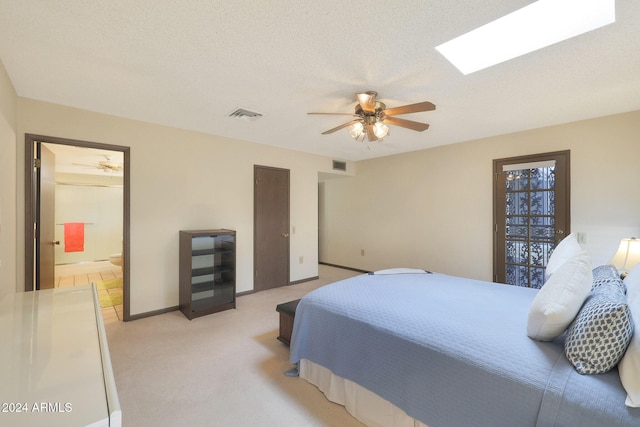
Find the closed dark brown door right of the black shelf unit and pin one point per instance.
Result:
(271, 227)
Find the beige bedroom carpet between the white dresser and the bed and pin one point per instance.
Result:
(225, 369)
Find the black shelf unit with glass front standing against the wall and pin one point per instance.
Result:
(207, 271)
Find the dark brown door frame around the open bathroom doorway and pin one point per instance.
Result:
(32, 203)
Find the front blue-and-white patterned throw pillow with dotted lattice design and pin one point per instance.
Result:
(600, 334)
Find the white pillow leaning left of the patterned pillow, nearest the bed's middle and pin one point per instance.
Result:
(558, 301)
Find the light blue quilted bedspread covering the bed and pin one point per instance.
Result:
(451, 352)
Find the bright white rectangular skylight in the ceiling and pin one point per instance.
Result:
(540, 24)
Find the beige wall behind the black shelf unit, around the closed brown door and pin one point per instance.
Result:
(184, 180)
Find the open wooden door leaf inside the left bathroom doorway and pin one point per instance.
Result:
(45, 221)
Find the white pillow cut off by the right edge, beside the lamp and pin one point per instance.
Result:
(629, 366)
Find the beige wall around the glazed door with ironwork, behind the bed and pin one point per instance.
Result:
(433, 209)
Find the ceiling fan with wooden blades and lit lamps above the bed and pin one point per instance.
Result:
(371, 117)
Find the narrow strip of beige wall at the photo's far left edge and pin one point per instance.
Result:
(8, 124)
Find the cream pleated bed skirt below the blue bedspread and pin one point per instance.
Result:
(364, 405)
